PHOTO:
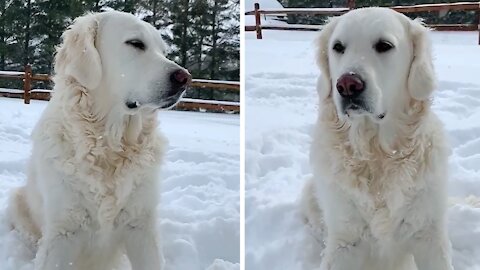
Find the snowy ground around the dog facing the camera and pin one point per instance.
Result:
(281, 105)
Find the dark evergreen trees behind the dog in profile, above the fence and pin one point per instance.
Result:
(203, 34)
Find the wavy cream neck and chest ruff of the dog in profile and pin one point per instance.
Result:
(98, 150)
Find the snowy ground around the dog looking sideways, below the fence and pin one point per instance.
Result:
(199, 212)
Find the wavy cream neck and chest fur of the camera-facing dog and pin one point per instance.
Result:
(381, 184)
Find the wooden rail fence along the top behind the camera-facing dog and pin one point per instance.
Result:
(465, 6)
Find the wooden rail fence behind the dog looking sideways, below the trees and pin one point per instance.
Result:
(185, 104)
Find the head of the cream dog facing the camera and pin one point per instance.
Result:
(373, 61)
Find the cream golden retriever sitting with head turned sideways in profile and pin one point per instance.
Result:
(92, 191)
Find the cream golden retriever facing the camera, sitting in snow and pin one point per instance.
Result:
(379, 155)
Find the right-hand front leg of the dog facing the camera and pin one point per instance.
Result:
(432, 250)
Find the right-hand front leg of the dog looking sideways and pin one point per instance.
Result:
(142, 248)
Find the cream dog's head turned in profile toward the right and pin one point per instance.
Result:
(122, 59)
